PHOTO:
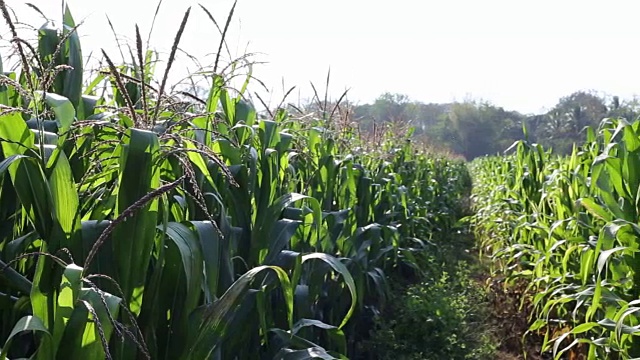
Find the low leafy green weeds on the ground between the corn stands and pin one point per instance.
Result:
(442, 312)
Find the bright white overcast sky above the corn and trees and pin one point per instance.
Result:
(522, 55)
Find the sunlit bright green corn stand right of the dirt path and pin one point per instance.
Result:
(565, 231)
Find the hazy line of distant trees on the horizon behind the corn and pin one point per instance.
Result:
(474, 128)
